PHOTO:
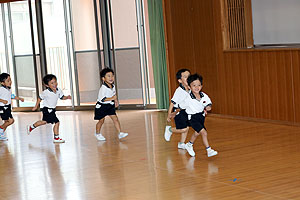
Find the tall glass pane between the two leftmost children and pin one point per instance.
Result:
(23, 52)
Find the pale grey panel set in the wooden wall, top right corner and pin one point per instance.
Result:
(276, 21)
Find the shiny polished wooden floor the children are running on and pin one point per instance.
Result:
(255, 161)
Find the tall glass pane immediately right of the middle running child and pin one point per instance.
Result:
(125, 33)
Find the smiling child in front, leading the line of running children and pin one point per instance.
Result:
(197, 105)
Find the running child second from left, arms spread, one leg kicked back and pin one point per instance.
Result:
(49, 96)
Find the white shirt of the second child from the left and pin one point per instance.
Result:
(50, 97)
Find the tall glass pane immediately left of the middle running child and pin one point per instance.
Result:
(86, 50)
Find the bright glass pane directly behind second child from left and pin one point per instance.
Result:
(56, 46)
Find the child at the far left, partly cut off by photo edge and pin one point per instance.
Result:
(5, 103)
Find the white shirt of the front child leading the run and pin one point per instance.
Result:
(193, 105)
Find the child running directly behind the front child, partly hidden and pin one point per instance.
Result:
(180, 116)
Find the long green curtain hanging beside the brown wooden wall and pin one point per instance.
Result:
(158, 51)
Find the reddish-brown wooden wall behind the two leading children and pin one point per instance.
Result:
(263, 84)
